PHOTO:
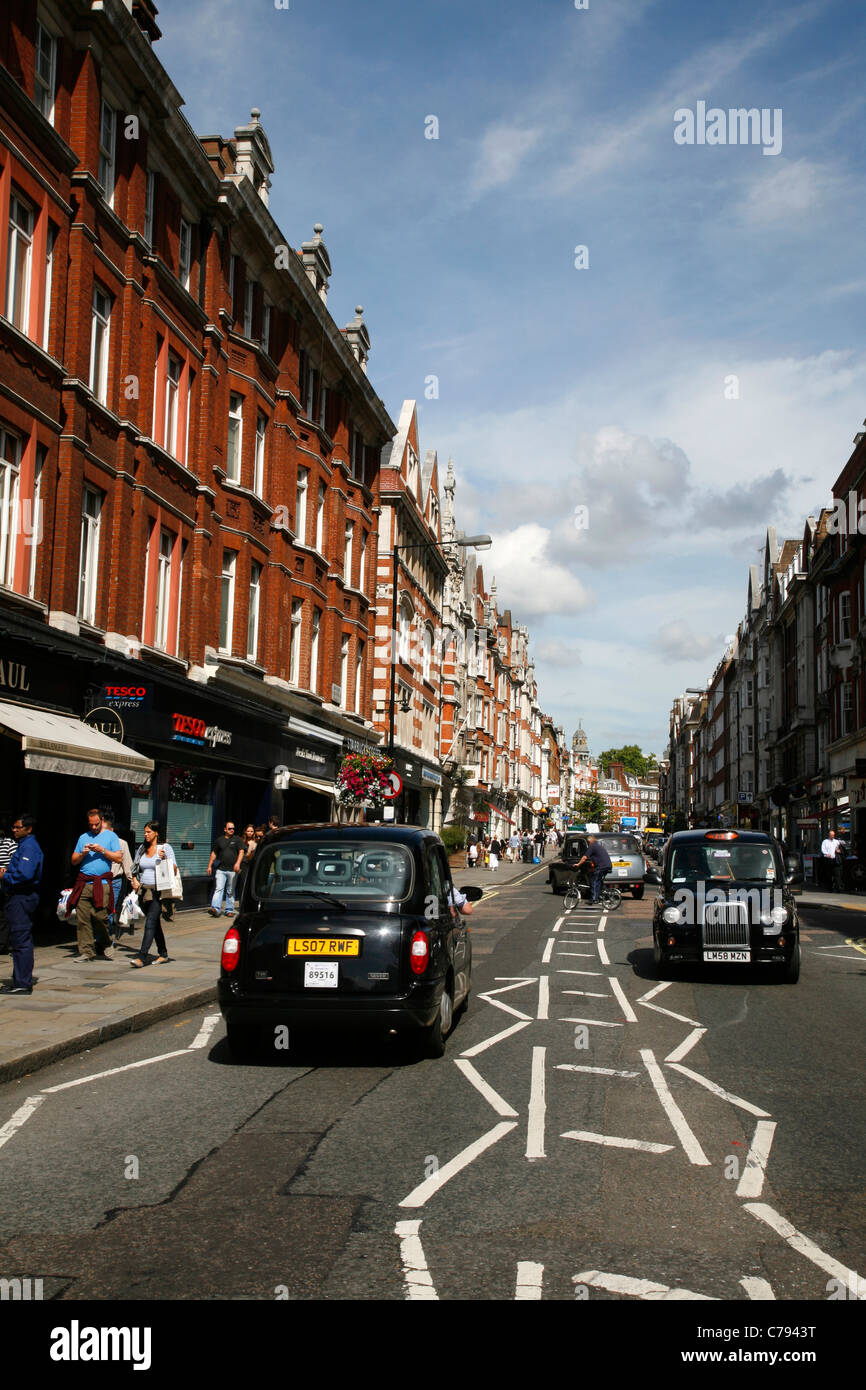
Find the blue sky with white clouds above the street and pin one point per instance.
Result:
(611, 386)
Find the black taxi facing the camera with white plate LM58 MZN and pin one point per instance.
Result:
(726, 900)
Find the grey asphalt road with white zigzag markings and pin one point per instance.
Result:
(590, 1135)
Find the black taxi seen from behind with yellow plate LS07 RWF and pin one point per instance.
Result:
(347, 928)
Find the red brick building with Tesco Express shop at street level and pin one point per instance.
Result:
(199, 439)
